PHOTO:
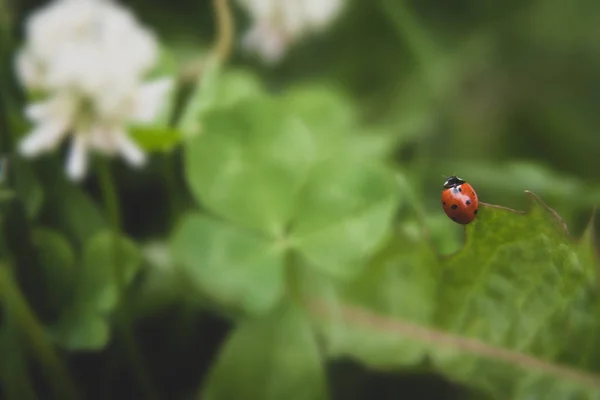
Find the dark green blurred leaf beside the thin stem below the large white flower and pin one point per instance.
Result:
(84, 326)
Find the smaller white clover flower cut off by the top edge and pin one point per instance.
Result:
(277, 24)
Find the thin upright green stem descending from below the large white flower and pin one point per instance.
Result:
(109, 192)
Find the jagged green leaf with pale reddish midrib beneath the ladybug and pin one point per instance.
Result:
(513, 314)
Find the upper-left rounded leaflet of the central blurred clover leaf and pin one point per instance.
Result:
(250, 163)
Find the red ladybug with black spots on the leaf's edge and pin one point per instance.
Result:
(459, 200)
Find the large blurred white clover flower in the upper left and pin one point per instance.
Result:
(89, 57)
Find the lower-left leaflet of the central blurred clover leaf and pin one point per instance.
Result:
(234, 266)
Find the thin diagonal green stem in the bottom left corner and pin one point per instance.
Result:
(35, 335)
